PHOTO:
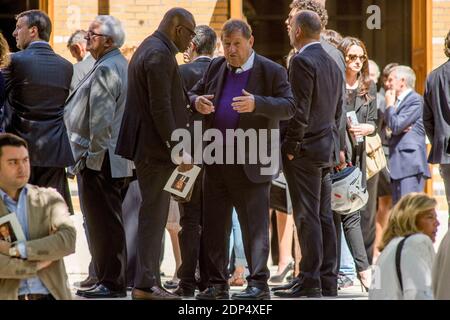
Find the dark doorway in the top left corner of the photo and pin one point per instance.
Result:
(9, 8)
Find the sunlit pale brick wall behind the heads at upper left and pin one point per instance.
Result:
(139, 17)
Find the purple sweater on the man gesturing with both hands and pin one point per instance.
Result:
(225, 117)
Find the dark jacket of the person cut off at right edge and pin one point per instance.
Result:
(436, 113)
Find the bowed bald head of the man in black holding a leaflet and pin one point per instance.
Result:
(178, 25)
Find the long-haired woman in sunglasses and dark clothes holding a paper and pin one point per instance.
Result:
(360, 98)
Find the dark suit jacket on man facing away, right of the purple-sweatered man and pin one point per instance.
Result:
(317, 86)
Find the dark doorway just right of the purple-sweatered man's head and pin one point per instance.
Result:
(266, 17)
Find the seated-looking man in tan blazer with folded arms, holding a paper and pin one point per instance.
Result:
(32, 269)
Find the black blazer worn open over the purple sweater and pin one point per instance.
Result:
(273, 99)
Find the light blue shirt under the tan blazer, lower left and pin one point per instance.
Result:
(31, 285)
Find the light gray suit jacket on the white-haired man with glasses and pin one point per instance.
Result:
(94, 113)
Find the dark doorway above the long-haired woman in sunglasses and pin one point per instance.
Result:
(391, 43)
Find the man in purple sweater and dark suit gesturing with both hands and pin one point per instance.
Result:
(242, 92)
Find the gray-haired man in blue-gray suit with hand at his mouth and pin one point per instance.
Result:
(407, 150)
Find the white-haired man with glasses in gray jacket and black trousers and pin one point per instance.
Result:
(93, 116)
